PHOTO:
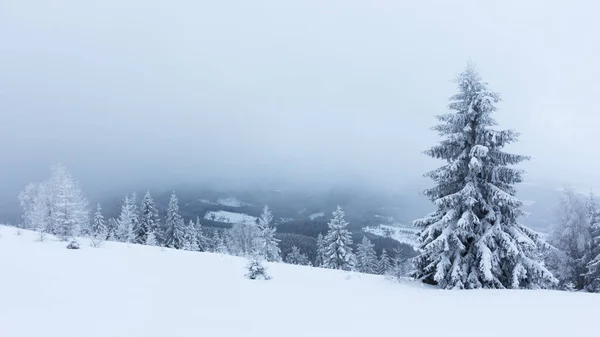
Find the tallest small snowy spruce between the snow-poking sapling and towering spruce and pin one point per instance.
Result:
(338, 241)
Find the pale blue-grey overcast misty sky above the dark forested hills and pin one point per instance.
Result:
(127, 91)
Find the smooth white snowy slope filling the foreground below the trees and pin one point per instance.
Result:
(127, 291)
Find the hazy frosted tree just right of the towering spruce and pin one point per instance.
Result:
(571, 240)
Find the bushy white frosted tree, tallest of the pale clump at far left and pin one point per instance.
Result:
(69, 212)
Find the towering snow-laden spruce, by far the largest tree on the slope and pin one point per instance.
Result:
(473, 239)
